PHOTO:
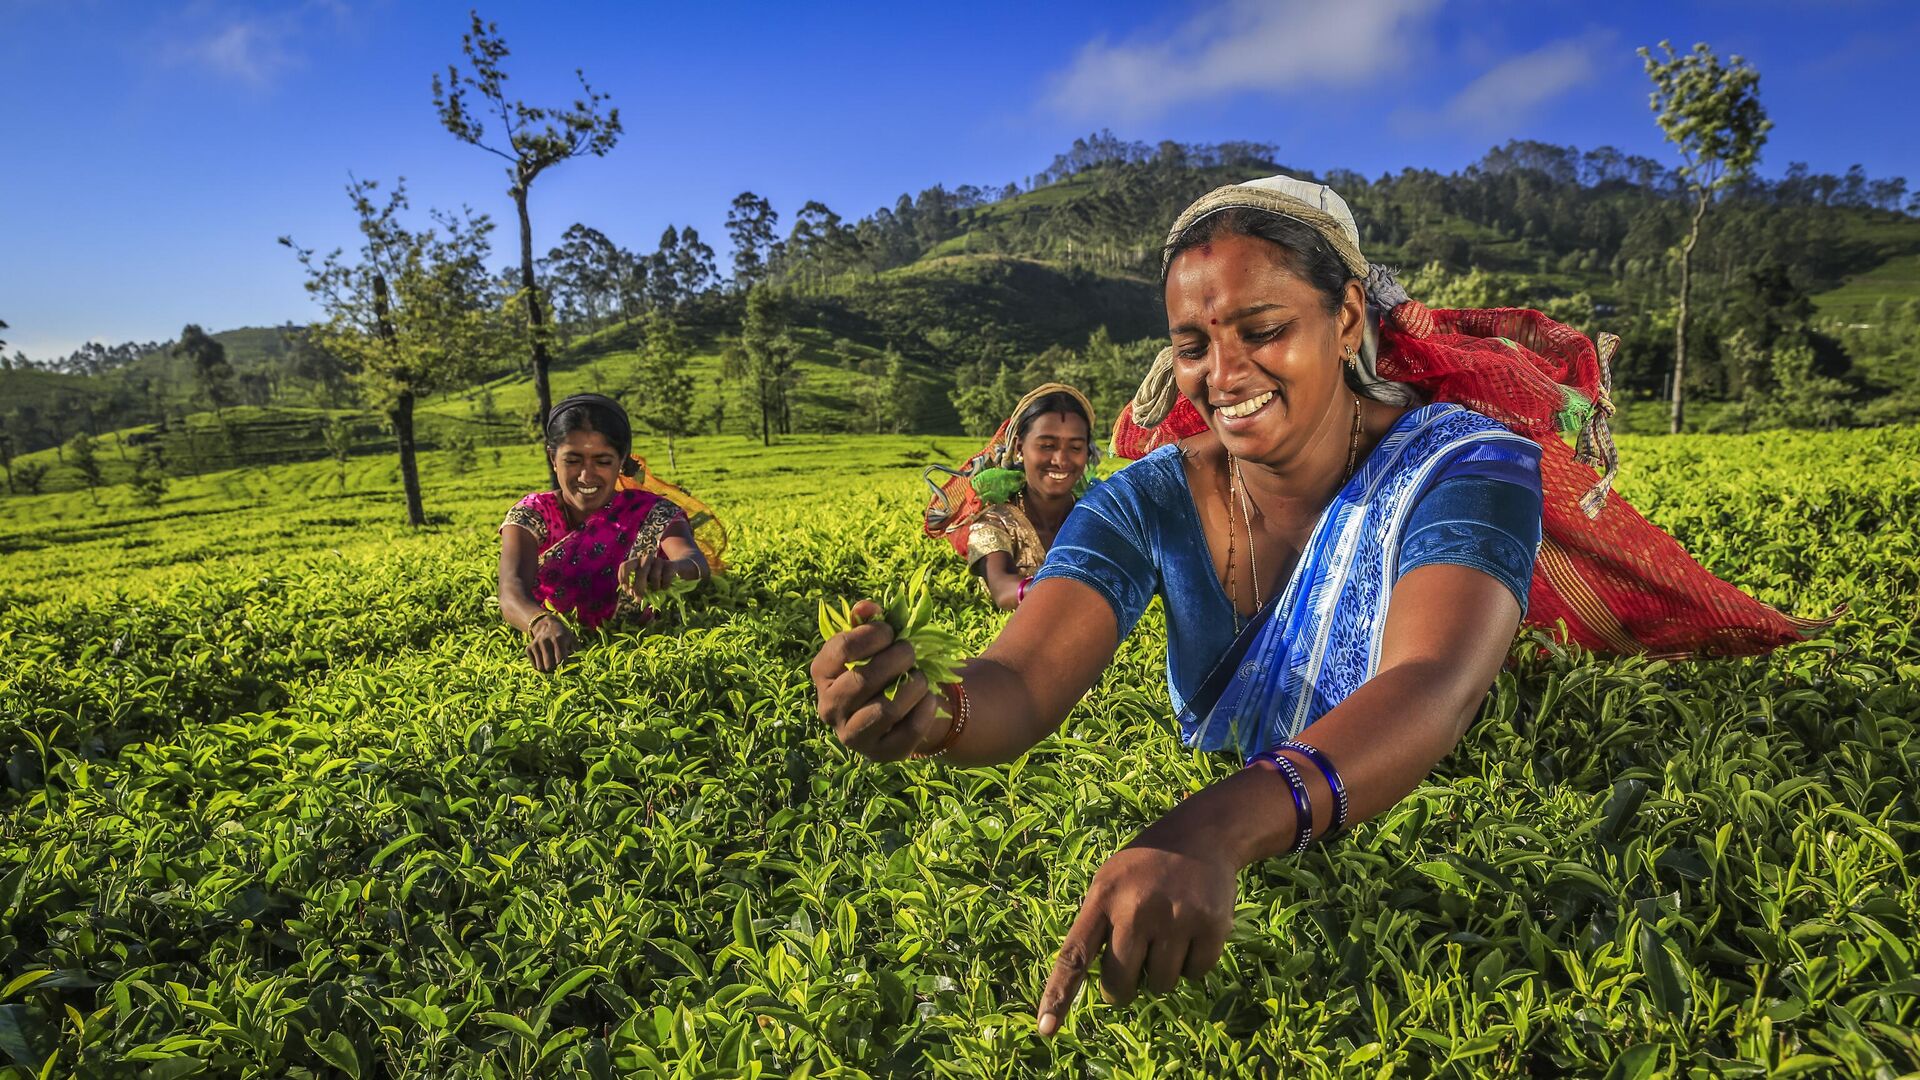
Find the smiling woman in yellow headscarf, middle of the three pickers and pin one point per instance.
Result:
(1007, 506)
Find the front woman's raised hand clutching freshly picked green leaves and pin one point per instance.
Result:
(853, 700)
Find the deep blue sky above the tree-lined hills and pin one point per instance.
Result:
(153, 153)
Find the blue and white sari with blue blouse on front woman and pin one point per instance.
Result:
(1445, 485)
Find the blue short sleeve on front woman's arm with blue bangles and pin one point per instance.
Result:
(1483, 514)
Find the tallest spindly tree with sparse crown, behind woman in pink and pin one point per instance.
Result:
(537, 139)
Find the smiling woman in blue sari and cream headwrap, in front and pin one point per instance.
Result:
(1343, 574)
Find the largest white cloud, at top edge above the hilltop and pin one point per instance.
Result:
(1241, 47)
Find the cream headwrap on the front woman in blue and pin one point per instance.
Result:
(1318, 209)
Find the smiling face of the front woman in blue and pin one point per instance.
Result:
(1257, 349)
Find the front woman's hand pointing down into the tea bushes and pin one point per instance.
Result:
(1159, 908)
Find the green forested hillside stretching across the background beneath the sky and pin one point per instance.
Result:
(934, 312)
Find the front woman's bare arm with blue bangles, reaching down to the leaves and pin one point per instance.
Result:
(1164, 904)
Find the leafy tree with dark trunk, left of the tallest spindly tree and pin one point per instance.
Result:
(410, 312)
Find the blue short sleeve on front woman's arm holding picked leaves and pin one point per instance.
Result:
(1105, 543)
